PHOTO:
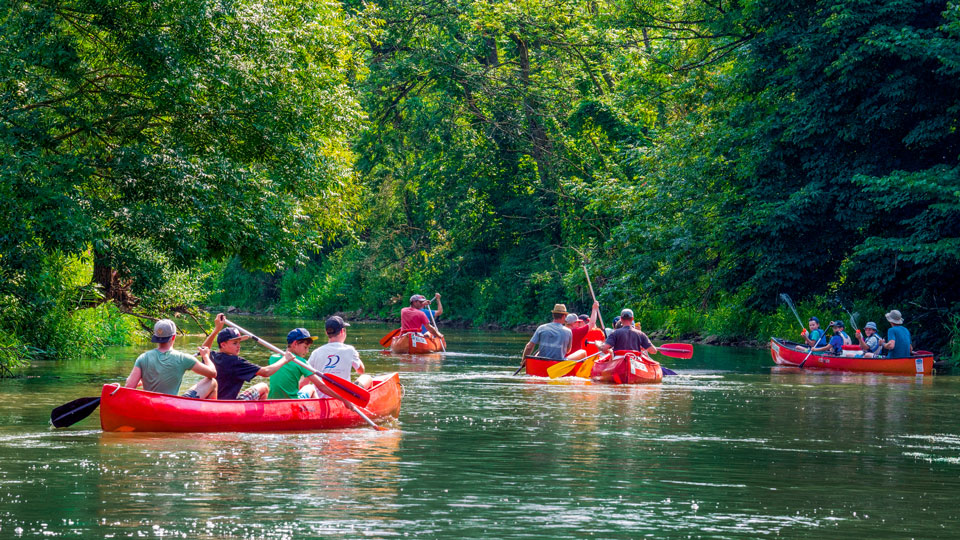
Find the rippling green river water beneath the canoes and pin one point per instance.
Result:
(730, 448)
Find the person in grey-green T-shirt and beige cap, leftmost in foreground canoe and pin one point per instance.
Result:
(161, 370)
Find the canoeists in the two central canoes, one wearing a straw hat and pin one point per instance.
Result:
(564, 337)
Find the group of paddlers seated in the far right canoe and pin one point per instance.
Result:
(898, 340)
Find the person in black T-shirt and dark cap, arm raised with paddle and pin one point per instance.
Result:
(233, 370)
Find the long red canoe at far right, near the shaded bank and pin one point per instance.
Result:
(788, 353)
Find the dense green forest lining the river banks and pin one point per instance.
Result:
(699, 157)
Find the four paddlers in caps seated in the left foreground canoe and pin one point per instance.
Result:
(225, 371)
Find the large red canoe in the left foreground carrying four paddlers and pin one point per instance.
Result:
(128, 409)
